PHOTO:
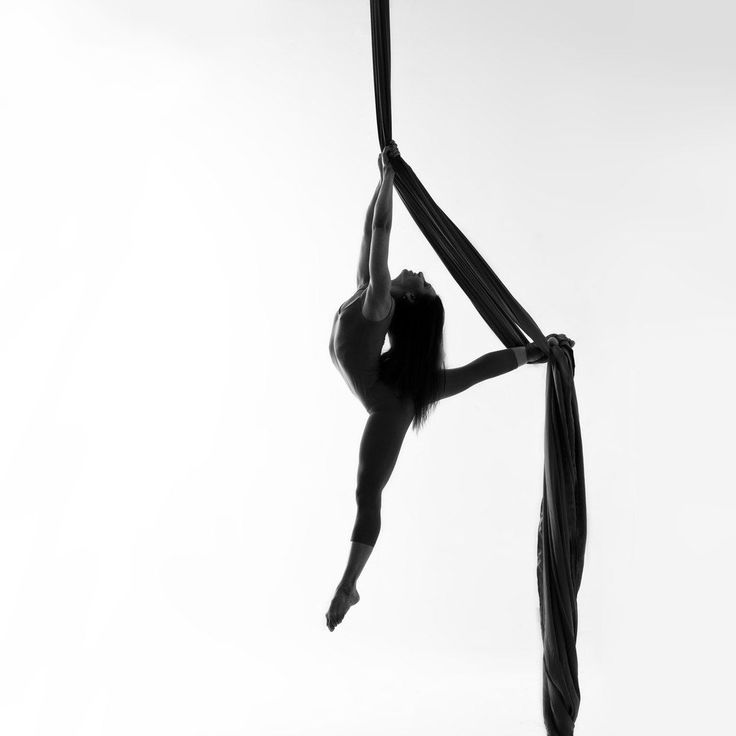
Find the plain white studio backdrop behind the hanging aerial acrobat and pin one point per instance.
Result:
(183, 190)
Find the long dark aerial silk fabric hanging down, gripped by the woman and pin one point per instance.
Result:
(562, 524)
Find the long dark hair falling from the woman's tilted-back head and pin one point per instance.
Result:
(416, 359)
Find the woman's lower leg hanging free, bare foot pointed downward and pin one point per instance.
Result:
(379, 450)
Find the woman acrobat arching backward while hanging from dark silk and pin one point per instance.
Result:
(400, 387)
